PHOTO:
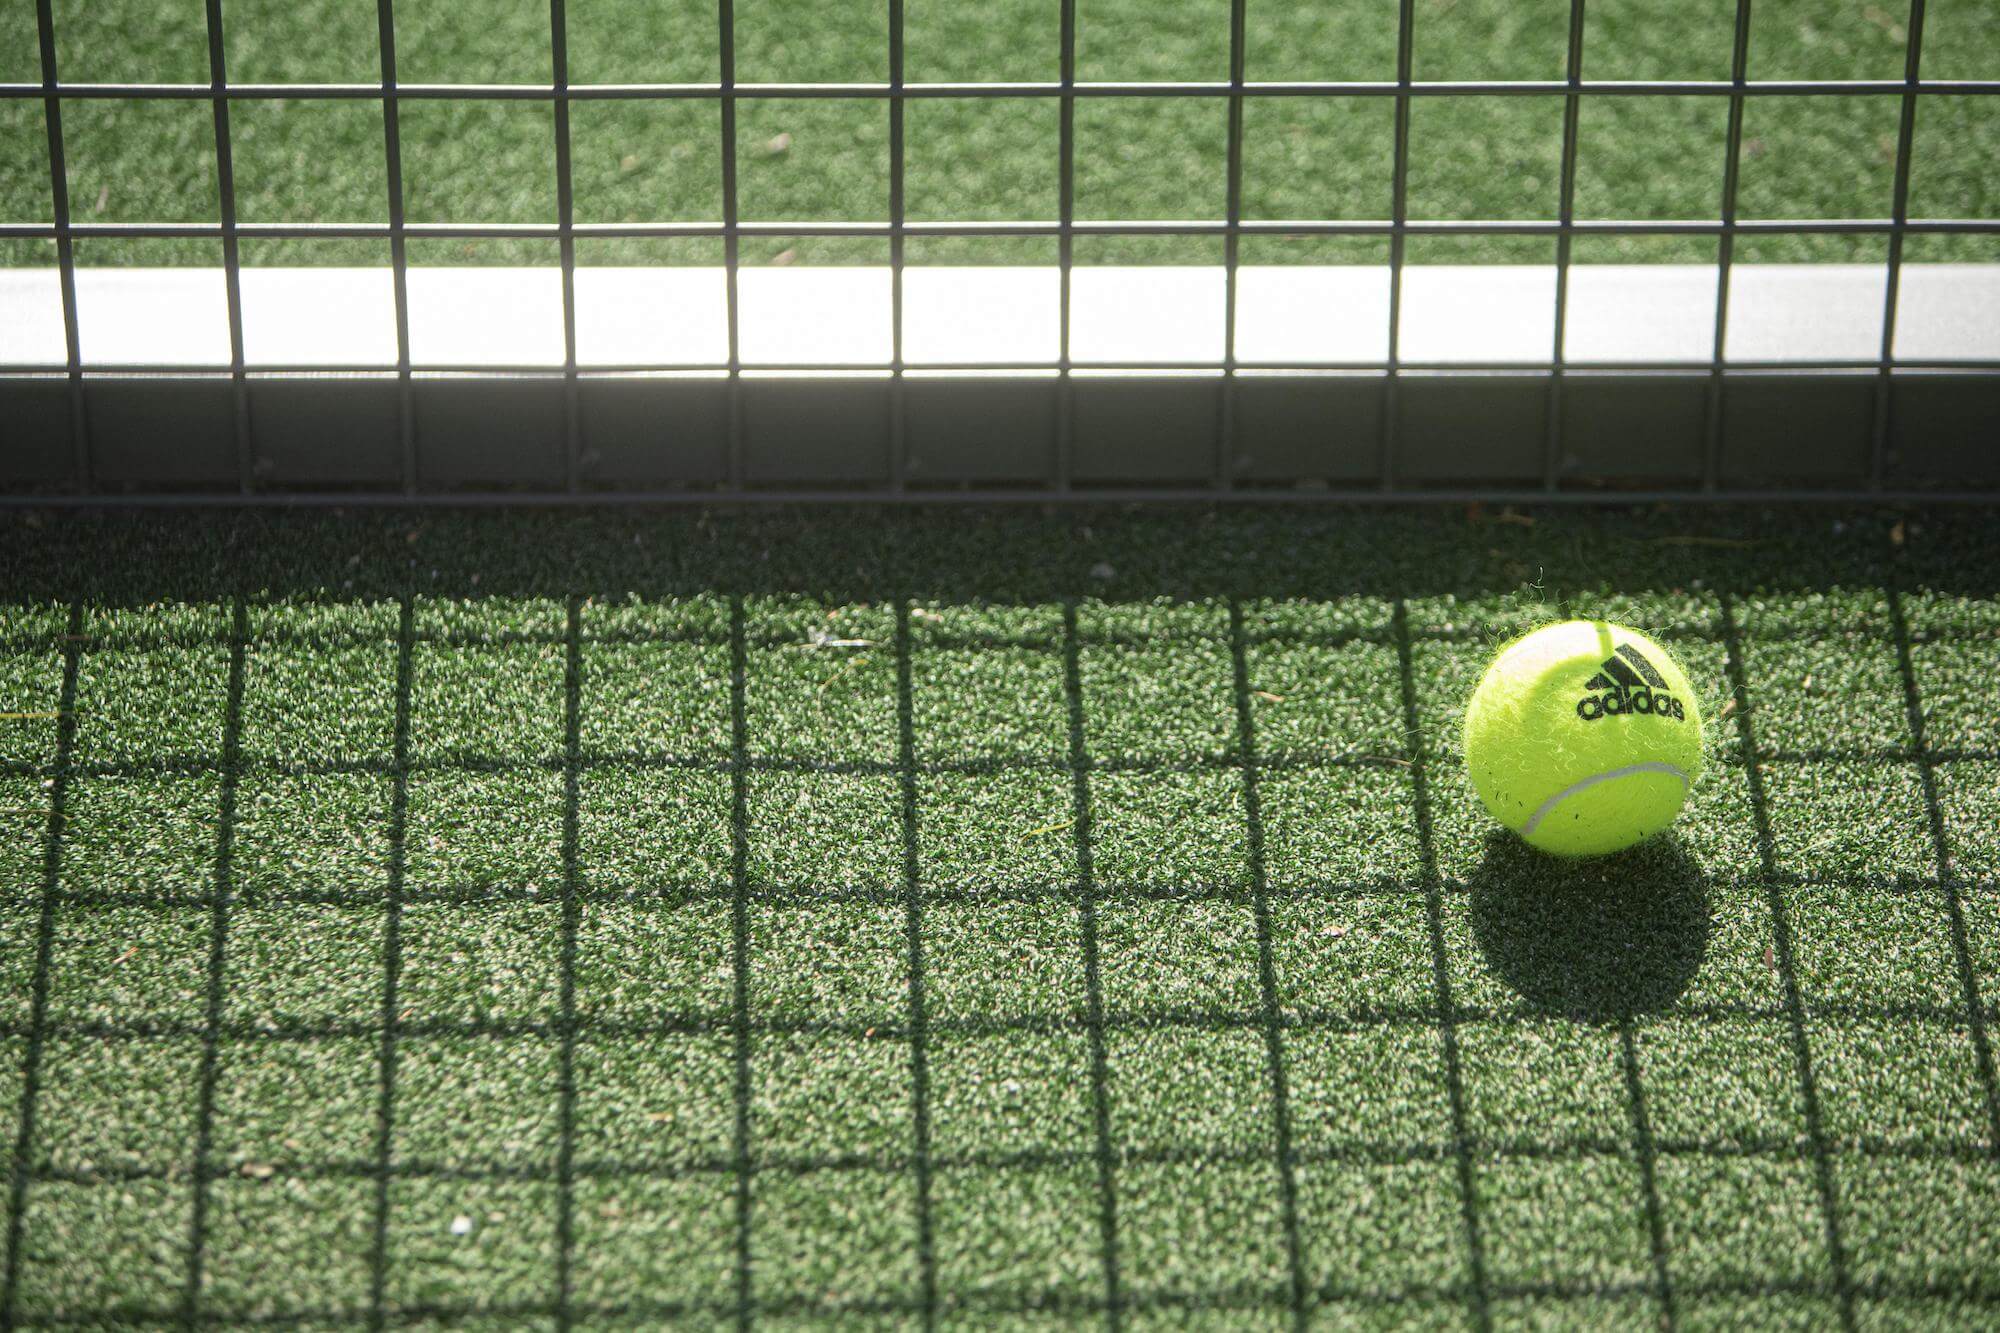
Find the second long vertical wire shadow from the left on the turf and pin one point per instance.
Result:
(219, 936)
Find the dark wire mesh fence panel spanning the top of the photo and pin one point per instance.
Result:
(1481, 303)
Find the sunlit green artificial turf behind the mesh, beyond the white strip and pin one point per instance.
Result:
(1487, 157)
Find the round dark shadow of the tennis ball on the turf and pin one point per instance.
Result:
(1593, 940)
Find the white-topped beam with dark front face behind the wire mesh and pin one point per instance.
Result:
(1477, 401)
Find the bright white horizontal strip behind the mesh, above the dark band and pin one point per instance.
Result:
(1127, 317)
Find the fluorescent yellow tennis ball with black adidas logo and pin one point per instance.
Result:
(1583, 738)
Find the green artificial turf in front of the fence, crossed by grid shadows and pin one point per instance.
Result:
(859, 918)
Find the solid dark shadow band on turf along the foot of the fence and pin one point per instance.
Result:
(961, 555)
